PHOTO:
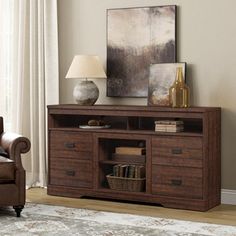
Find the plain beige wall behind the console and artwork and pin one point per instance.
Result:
(206, 35)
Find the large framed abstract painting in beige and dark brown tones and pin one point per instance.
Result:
(136, 38)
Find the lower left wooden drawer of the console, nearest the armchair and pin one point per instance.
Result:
(70, 172)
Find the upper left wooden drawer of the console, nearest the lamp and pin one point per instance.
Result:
(71, 145)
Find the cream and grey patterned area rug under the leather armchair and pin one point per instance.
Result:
(47, 220)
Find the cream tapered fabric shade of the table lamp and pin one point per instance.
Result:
(86, 66)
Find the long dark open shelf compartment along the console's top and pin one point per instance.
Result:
(127, 123)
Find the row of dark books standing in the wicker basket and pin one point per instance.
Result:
(129, 171)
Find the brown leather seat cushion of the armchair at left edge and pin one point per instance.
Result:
(7, 170)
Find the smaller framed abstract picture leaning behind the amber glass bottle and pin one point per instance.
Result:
(161, 78)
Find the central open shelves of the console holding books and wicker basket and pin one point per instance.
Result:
(122, 163)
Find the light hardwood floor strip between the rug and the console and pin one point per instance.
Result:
(223, 214)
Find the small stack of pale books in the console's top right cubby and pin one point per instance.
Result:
(169, 125)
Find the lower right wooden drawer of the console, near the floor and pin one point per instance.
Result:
(177, 181)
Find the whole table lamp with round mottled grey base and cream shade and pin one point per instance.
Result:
(83, 67)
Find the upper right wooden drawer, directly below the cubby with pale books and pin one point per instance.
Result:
(177, 151)
